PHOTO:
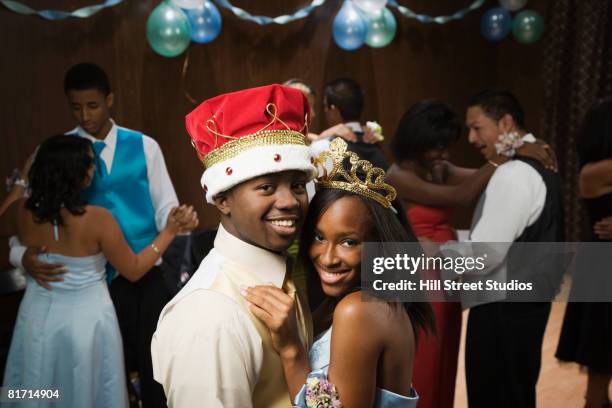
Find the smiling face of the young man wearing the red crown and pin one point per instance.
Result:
(266, 211)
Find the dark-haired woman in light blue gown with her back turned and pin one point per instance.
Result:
(67, 338)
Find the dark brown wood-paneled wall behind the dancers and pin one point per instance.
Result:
(449, 61)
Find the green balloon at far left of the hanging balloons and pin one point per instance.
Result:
(168, 30)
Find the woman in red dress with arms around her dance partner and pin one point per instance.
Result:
(430, 187)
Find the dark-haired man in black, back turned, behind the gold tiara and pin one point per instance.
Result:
(343, 103)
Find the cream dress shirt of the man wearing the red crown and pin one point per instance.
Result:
(206, 351)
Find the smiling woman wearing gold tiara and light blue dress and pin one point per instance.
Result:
(363, 356)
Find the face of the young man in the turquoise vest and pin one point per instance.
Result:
(91, 109)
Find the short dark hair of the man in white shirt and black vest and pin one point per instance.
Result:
(497, 103)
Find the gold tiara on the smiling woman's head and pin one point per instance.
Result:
(362, 178)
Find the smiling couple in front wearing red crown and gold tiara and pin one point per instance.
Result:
(239, 334)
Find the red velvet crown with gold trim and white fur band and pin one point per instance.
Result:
(249, 133)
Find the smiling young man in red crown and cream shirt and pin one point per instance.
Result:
(209, 350)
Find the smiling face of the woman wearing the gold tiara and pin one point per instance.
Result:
(336, 249)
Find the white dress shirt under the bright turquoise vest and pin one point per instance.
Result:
(162, 192)
